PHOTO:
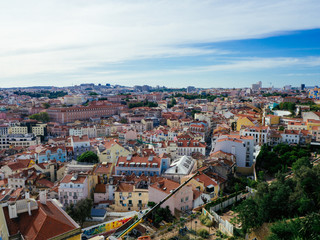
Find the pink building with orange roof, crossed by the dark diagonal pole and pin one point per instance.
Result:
(182, 200)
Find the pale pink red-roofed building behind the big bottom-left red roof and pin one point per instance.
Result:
(73, 187)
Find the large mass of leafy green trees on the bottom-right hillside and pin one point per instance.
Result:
(283, 198)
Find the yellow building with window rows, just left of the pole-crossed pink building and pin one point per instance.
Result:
(130, 197)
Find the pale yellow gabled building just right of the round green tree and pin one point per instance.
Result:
(111, 151)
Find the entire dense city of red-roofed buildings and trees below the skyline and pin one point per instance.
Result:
(89, 161)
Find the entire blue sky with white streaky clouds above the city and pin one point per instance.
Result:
(173, 43)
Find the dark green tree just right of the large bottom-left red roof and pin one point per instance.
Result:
(80, 211)
